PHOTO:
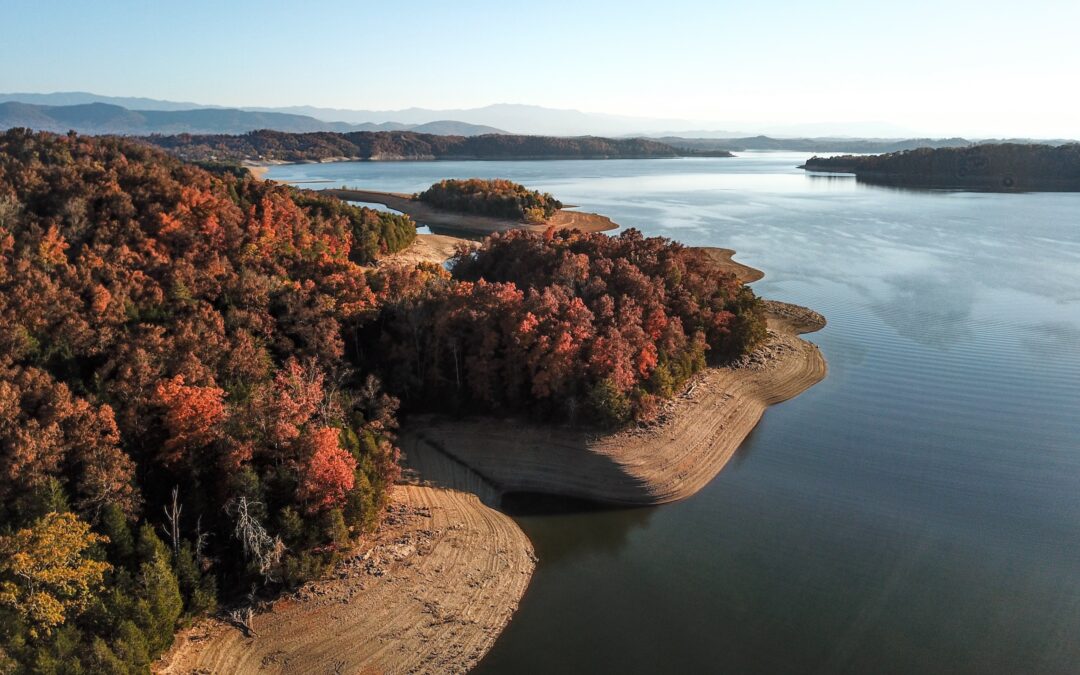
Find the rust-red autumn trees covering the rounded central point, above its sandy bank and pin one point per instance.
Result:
(563, 326)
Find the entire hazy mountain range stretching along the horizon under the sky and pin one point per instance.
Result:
(94, 114)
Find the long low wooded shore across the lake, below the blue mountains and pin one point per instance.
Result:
(279, 146)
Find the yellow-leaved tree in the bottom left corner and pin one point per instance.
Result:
(46, 574)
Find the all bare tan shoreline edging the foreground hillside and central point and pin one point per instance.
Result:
(442, 577)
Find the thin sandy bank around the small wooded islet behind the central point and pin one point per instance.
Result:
(467, 223)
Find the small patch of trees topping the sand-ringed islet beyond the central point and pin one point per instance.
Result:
(498, 198)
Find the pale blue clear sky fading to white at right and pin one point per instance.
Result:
(948, 67)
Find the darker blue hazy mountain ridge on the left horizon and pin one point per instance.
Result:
(101, 118)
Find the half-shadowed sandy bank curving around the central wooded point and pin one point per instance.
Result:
(699, 431)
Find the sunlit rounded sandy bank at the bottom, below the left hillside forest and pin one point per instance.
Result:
(429, 595)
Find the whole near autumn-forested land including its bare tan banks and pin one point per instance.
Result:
(209, 383)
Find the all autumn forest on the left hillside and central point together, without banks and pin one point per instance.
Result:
(201, 379)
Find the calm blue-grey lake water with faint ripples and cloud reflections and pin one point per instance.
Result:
(916, 512)
